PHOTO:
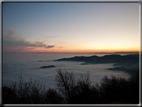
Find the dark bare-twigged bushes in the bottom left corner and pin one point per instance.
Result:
(23, 92)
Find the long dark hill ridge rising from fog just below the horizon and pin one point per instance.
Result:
(115, 58)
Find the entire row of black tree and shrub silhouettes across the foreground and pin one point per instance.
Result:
(72, 89)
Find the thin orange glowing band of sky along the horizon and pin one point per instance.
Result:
(69, 50)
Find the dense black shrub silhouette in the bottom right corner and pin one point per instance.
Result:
(118, 90)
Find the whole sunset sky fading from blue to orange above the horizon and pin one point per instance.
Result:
(71, 27)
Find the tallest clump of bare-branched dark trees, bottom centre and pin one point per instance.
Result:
(75, 90)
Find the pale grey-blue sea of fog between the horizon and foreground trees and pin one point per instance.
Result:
(13, 64)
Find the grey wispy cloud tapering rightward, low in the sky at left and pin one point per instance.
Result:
(12, 40)
